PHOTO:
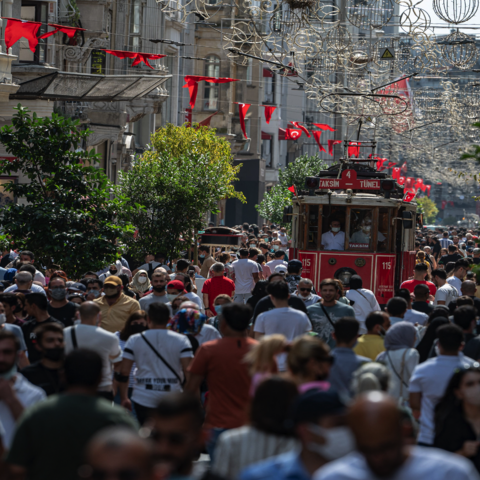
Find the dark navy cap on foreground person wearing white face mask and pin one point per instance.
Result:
(314, 404)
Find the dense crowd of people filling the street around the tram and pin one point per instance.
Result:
(133, 374)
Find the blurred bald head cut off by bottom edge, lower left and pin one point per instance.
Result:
(118, 449)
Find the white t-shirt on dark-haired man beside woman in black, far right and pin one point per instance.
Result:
(431, 378)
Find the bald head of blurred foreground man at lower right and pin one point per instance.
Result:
(376, 423)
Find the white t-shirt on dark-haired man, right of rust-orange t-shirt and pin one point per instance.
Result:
(287, 321)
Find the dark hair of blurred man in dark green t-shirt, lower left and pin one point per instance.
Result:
(83, 367)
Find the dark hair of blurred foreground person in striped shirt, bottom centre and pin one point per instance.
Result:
(271, 406)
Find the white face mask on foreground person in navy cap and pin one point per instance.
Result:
(338, 442)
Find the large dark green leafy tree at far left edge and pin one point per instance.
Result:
(63, 209)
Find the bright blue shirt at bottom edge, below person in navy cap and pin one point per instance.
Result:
(287, 466)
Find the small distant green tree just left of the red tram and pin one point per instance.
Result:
(279, 197)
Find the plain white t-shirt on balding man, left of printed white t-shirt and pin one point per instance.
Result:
(100, 341)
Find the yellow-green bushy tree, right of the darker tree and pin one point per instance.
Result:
(182, 176)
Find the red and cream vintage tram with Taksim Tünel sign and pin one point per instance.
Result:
(377, 228)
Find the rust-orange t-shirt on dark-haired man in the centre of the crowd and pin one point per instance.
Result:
(221, 363)
